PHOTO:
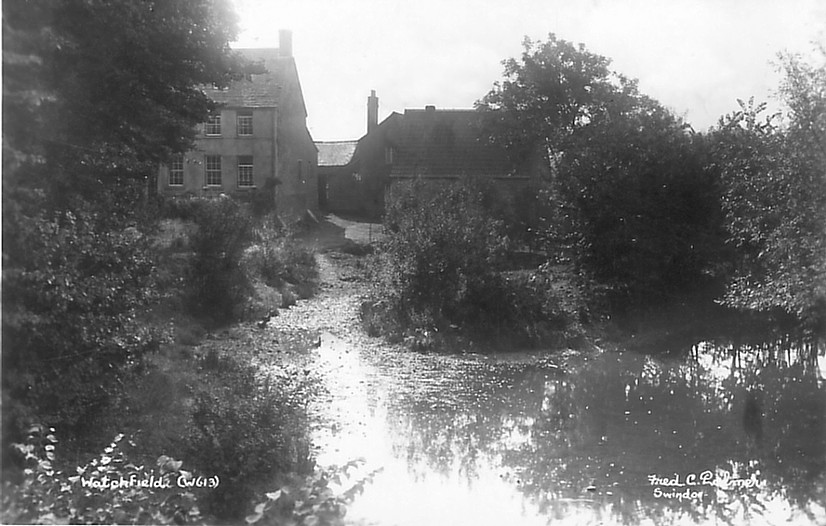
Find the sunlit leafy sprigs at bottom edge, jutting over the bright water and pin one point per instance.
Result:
(314, 502)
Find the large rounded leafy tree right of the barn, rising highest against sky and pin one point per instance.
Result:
(632, 202)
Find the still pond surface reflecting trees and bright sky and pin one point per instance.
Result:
(611, 438)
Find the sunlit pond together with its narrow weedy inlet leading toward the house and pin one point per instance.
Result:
(515, 437)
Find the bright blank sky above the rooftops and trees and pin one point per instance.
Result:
(696, 57)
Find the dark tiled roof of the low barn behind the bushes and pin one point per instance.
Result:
(445, 143)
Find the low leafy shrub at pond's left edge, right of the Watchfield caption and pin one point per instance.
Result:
(247, 429)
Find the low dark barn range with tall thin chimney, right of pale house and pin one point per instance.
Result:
(439, 145)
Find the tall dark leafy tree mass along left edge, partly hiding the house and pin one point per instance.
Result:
(95, 93)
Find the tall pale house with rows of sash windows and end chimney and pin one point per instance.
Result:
(257, 137)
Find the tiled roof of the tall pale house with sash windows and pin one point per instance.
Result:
(256, 91)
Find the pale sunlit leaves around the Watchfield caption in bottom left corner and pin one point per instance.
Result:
(50, 496)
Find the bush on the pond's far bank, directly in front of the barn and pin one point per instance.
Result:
(439, 271)
